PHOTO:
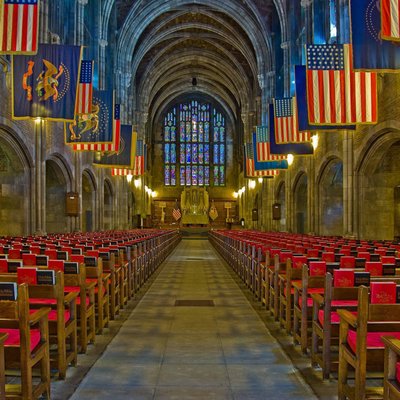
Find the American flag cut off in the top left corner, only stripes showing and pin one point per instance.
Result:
(19, 20)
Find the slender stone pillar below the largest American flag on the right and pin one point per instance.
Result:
(348, 179)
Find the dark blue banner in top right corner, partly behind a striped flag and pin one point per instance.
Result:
(370, 52)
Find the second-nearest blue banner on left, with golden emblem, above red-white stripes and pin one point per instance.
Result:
(95, 128)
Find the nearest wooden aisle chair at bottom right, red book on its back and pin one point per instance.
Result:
(360, 346)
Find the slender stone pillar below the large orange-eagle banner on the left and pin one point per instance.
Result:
(40, 177)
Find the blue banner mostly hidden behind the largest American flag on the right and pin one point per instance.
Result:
(302, 108)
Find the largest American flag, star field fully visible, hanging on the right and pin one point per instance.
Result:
(336, 94)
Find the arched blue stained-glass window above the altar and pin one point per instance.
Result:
(194, 145)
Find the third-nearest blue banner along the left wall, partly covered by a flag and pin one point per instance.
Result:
(125, 157)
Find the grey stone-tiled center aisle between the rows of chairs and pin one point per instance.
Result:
(193, 350)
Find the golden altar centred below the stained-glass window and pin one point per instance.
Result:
(194, 204)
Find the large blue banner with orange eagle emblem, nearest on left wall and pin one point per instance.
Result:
(45, 85)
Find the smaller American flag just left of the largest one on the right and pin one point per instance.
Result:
(286, 122)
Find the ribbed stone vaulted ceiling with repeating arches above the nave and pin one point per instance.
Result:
(225, 45)
